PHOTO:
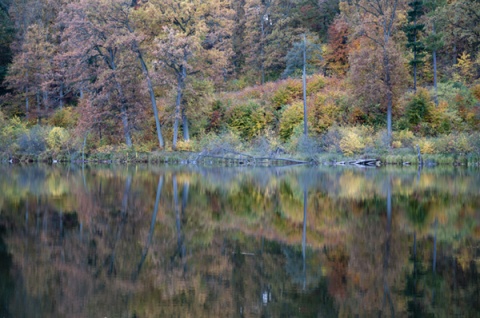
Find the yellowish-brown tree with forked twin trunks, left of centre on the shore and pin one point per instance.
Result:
(194, 42)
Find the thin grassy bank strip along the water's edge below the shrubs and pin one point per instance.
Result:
(392, 157)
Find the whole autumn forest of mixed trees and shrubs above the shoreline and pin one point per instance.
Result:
(105, 76)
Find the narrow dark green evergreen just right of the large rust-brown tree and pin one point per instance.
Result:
(413, 30)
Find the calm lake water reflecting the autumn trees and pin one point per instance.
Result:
(143, 241)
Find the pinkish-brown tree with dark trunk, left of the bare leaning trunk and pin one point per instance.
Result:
(102, 53)
